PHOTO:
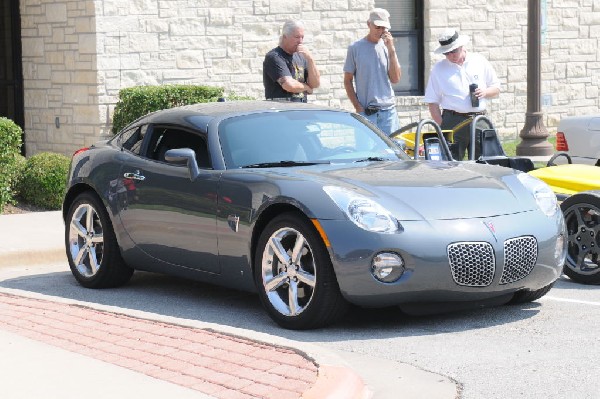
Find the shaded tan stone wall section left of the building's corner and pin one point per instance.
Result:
(62, 110)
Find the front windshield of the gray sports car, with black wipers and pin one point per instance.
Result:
(291, 138)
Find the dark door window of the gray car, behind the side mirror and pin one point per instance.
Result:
(167, 138)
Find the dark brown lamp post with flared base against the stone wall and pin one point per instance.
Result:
(534, 133)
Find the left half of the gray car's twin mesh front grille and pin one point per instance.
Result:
(472, 263)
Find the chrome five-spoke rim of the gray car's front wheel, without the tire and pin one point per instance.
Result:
(288, 271)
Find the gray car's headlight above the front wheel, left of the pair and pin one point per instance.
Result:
(363, 211)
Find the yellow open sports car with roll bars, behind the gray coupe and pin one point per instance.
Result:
(576, 185)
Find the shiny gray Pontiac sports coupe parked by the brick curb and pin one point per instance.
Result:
(313, 208)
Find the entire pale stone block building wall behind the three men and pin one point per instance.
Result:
(78, 54)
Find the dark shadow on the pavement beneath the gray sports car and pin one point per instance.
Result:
(174, 297)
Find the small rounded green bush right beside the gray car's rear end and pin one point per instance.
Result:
(43, 181)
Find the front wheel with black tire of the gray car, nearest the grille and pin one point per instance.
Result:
(300, 293)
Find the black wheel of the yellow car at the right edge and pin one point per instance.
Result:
(582, 216)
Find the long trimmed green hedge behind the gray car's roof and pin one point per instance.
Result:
(135, 102)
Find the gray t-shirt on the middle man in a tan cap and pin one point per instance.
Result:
(369, 63)
